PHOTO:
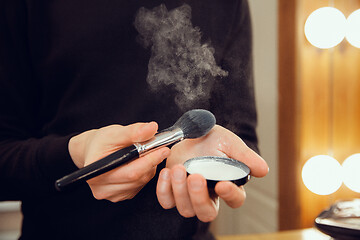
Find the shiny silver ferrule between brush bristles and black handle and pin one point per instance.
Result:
(160, 140)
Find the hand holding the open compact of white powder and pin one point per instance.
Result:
(190, 194)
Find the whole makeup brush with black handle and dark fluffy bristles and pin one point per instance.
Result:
(192, 124)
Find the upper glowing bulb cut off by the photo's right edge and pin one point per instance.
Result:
(353, 29)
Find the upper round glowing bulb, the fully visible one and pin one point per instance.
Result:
(325, 27)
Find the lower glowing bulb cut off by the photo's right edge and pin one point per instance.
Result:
(351, 170)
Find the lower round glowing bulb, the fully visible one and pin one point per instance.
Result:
(322, 175)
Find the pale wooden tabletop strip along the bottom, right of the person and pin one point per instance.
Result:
(306, 234)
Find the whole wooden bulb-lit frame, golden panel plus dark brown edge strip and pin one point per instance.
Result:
(319, 110)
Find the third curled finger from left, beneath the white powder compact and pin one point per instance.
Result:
(205, 208)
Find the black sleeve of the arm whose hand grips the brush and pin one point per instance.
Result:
(29, 162)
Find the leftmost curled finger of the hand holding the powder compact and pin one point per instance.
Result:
(164, 191)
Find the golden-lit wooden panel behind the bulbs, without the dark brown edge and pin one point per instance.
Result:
(330, 89)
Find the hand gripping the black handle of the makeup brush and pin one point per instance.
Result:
(125, 181)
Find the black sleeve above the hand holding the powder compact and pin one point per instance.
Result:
(233, 100)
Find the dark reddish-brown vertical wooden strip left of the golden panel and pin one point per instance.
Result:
(288, 118)
